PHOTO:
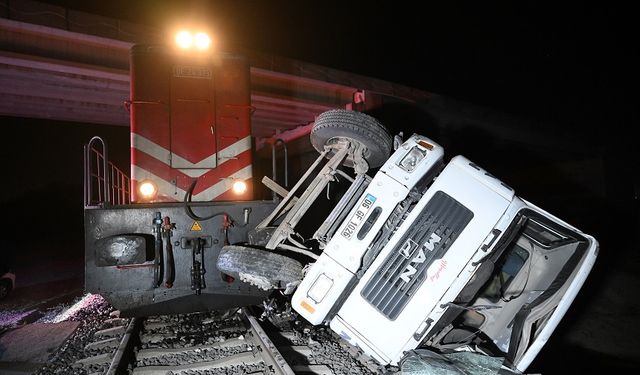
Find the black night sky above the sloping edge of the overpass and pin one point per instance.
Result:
(567, 63)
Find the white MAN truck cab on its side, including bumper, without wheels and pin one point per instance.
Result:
(449, 259)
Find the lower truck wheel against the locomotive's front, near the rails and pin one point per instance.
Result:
(264, 269)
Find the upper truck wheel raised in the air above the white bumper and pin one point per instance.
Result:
(337, 124)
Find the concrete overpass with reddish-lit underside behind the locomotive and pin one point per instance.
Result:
(61, 64)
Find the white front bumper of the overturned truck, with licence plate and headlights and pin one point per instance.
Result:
(336, 269)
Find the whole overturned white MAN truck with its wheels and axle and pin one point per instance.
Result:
(422, 254)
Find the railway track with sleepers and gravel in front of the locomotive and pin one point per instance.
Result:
(235, 342)
